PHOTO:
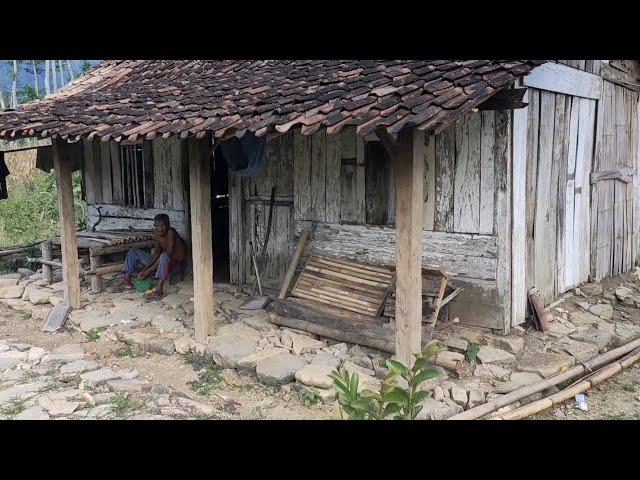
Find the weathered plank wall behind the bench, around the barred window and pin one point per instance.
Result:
(165, 186)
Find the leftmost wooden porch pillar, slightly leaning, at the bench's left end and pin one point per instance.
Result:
(62, 164)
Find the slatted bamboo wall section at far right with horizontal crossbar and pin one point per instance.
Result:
(615, 211)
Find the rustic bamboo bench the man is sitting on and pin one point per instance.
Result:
(99, 244)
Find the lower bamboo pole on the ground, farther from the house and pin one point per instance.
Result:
(601, 375)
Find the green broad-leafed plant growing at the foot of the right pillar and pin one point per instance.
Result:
(391, 400)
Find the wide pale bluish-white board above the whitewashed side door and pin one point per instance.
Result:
(559, 78)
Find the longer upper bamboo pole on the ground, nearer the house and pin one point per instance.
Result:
(592, 364)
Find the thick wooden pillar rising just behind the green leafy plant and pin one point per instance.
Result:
(409, 170)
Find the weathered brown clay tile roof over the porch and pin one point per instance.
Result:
(129, 99)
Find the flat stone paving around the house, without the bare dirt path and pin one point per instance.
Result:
(476, 365)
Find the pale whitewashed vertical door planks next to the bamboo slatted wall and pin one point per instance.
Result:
(575, 224)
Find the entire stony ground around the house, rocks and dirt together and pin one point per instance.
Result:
(118, 357)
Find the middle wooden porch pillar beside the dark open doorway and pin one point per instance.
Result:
(201, 238)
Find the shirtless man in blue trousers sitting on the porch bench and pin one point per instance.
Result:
(169, 255)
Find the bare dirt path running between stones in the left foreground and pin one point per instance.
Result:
(227, 395)
